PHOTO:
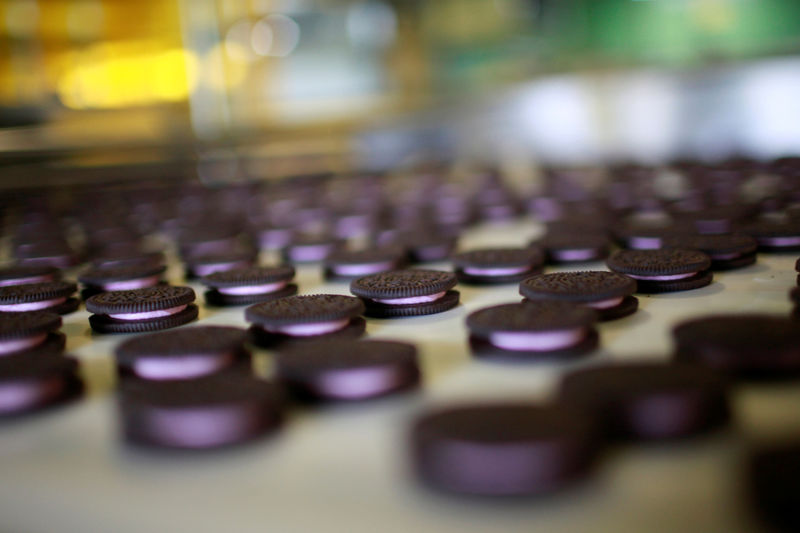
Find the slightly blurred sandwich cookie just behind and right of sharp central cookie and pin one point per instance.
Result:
(492, 266)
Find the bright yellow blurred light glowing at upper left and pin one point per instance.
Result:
(114, 75)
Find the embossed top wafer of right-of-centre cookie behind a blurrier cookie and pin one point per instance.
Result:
(585, 286)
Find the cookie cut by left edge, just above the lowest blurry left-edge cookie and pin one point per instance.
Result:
(34, 330)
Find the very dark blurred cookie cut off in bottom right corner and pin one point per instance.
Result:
(772, 478)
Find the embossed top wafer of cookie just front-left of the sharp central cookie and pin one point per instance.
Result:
(304, 309)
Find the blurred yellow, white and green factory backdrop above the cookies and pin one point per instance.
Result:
(254, 89)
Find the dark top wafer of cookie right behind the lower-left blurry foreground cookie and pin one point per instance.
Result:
(200, 340)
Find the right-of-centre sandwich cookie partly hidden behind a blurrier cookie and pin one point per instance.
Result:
(608, 293)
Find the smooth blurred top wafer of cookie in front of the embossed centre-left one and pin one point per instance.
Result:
(326, 356)
